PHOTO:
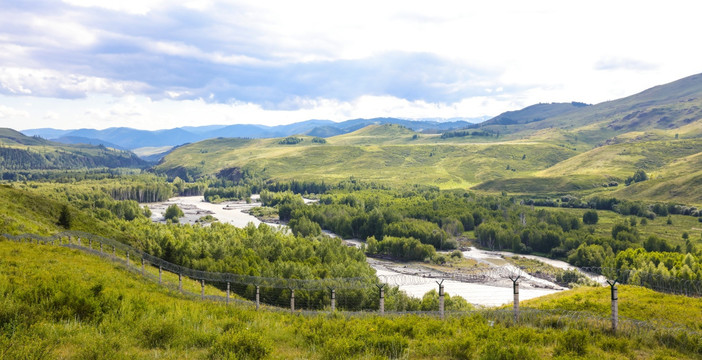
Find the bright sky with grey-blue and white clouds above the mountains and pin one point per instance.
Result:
(156, 64)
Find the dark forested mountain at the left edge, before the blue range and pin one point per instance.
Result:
(21, 153)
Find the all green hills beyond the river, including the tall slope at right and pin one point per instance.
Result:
(542, 149)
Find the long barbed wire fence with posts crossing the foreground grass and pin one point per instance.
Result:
(354, 296)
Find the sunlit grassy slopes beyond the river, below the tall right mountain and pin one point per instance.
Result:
(549, 161)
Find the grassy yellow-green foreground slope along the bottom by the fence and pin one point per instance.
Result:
(96, 309)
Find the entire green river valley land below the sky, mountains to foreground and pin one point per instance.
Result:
(561, 197)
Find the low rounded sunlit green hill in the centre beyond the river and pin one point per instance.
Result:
(383, 153)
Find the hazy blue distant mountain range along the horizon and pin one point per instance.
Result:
(128, 138)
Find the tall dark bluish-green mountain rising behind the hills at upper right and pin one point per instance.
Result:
(654, 111)
